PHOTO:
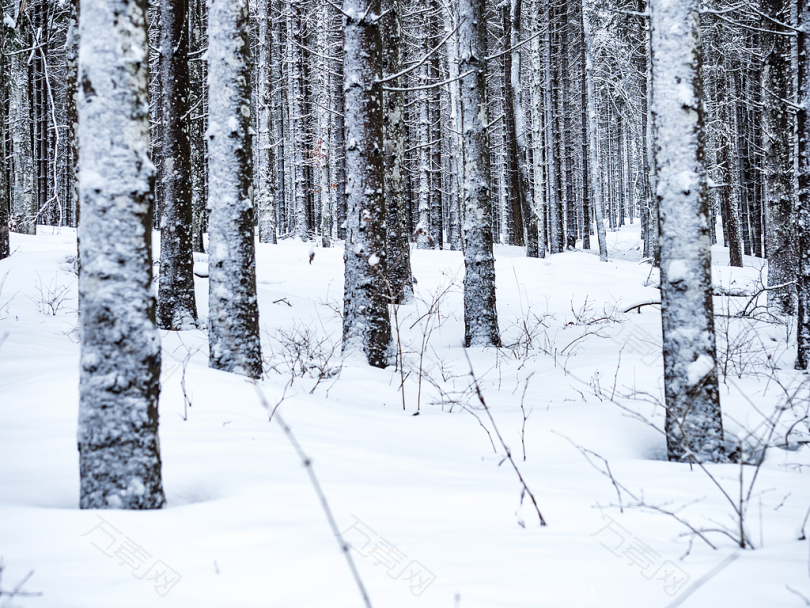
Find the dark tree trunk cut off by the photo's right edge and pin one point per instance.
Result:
(803, 210)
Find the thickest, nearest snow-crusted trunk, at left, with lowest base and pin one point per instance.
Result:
(119, 454)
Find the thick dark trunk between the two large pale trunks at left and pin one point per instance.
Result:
(177, 309)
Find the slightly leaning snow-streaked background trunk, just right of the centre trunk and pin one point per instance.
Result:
(521, 134)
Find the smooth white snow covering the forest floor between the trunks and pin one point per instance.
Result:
(243, 526)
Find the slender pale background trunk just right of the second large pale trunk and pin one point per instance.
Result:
(264, 152)
